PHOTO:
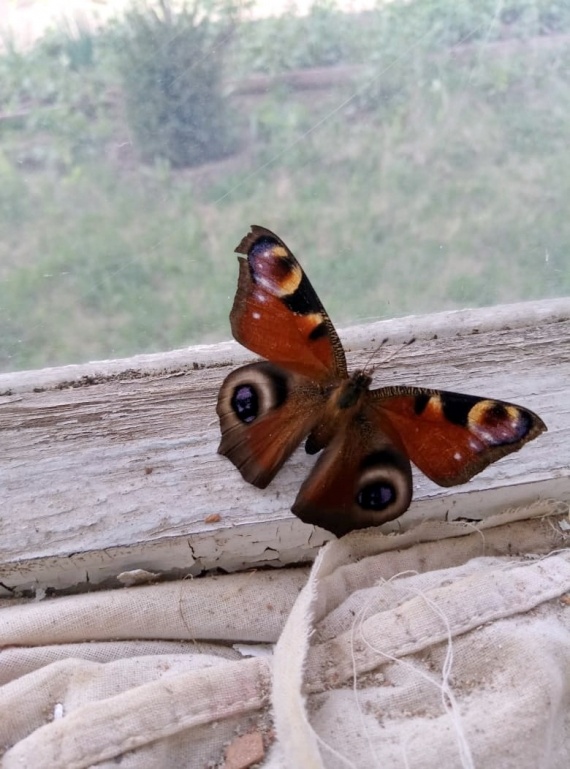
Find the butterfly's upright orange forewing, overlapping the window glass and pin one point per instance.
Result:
(277, 313)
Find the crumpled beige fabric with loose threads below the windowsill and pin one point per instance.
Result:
(446, 646)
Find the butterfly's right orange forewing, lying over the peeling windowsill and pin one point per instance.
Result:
(451, 437)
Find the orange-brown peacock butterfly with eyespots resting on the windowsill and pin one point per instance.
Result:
(303, 391)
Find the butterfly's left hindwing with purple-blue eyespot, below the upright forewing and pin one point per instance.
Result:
(265, 412)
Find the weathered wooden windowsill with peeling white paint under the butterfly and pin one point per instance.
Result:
(111, 466)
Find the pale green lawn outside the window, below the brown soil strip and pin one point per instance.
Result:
(441, 185)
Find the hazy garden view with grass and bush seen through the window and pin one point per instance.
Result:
(414, 156)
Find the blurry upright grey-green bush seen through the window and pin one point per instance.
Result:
(171, 64)
